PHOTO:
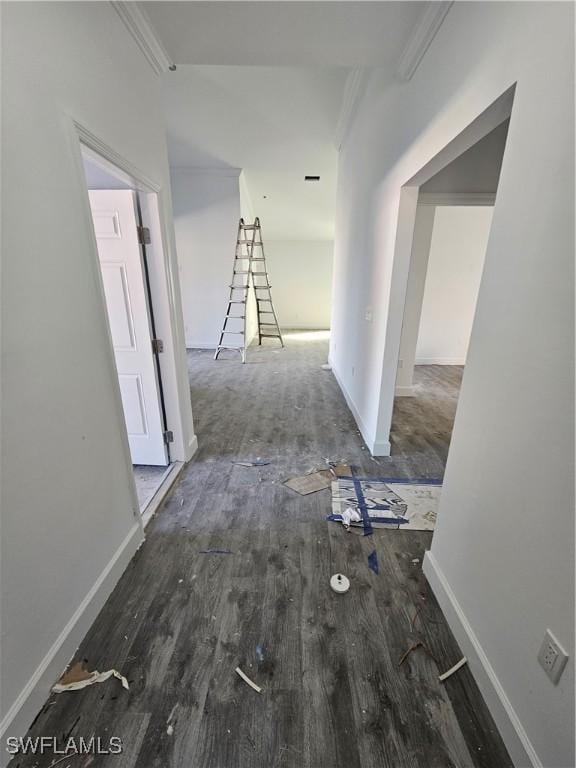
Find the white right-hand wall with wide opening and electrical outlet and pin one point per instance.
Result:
(503, 571)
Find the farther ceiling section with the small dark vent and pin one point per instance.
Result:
(275, 123)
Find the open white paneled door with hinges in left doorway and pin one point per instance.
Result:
(115, 224)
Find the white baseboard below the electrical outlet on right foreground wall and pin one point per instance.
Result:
(509, 726)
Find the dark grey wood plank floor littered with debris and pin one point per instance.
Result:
(179, 622)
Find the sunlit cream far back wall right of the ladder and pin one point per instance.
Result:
(301, 277)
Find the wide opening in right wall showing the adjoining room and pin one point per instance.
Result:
(451, 229)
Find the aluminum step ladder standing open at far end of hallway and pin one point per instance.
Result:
(249, 270)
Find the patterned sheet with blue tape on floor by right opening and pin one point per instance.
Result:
(384, 503)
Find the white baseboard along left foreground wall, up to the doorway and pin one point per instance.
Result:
(34, 694)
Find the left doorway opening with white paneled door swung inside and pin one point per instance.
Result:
(122, 237)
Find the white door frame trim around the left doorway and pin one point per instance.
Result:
(155, 203)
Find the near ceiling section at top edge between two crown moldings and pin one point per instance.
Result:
(326, 34)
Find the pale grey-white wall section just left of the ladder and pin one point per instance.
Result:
(206, 213)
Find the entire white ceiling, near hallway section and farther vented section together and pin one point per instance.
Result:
(259, 86)
